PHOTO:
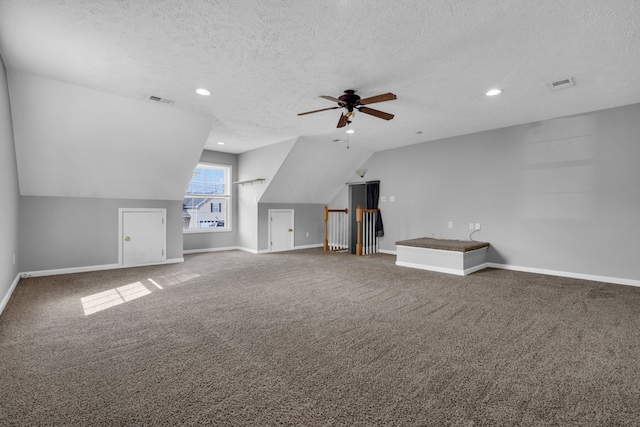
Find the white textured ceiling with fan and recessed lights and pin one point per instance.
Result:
(267, 60)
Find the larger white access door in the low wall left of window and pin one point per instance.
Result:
(142, 236)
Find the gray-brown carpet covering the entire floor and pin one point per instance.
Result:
(312, 339)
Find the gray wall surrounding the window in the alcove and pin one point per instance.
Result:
(218, 239)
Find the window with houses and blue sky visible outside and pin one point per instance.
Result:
(207, 201)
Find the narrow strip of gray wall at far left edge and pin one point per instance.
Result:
(8, 192)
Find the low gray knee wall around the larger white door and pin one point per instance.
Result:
(69, 232)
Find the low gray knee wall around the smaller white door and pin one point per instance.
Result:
(308, 217)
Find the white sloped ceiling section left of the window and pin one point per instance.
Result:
(77, 142)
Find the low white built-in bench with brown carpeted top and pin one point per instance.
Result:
(446, 256)
